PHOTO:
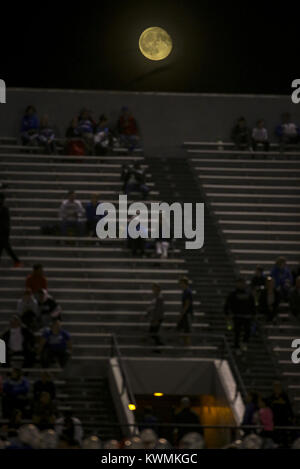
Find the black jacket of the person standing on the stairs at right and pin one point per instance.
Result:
(240, 303)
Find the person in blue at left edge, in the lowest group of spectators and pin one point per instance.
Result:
(15, 393)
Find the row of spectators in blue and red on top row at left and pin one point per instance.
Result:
(85, 135)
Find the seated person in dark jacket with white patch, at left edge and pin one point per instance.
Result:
(20, 342)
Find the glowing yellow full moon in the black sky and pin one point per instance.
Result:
(155, 43)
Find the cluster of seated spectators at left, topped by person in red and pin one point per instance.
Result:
(35, 333)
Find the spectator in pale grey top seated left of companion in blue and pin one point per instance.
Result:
(72, 214)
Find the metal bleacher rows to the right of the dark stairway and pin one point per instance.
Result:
(254, 198)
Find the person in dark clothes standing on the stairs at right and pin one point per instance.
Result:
(240, 306)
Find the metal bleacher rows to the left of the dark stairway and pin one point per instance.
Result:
(102, 289)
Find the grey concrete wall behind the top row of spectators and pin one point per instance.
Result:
(165, 119)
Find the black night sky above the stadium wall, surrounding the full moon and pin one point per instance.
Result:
(241, 47)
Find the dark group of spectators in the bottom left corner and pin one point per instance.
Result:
(36, 402)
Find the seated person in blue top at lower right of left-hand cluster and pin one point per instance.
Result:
(55, 345)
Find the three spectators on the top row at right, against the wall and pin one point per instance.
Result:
(287, 134)
